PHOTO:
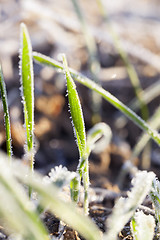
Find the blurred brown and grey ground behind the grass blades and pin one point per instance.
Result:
(54, 28)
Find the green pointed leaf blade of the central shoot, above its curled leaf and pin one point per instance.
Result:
(76, 110)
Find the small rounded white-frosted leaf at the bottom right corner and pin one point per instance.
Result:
(142, 226)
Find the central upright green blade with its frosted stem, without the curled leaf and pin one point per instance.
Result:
(79, 128)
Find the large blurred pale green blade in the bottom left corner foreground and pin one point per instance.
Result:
(19, 213)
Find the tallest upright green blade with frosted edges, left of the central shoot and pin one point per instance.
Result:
(27, 81)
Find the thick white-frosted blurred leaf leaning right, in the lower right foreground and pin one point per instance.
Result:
(125, 207)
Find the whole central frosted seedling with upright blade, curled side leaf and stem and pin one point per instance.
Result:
(85, 147)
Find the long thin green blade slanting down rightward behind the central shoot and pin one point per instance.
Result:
(42, 59)
